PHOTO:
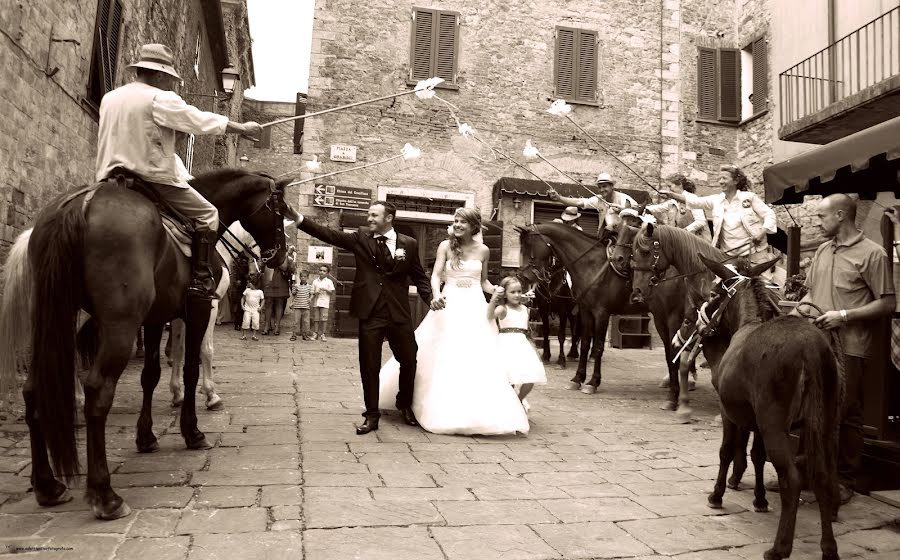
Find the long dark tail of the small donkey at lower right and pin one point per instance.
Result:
(821, 410)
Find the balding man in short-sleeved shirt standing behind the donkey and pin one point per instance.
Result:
(849, 280)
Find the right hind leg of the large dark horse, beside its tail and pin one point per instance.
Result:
(99, 391)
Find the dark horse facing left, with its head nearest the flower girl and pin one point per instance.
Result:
(599, 291)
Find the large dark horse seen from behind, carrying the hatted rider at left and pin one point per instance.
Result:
(112, 258)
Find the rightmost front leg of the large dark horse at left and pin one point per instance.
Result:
(195, 323)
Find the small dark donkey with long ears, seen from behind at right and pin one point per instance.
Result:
(778, 371)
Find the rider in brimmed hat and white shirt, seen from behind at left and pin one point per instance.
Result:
(136, 136)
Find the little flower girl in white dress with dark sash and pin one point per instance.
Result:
(522, 365)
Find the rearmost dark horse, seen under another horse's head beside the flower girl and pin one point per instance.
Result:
(553, 296)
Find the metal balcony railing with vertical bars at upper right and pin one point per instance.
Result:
(869, 55)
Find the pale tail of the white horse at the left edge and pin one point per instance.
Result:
(15, 313)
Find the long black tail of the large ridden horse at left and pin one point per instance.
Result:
(56, 253)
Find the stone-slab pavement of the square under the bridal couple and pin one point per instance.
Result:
(599, 476)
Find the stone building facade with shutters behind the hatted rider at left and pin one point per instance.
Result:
(57, 59)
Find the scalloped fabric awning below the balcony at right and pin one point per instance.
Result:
(866, 163)
